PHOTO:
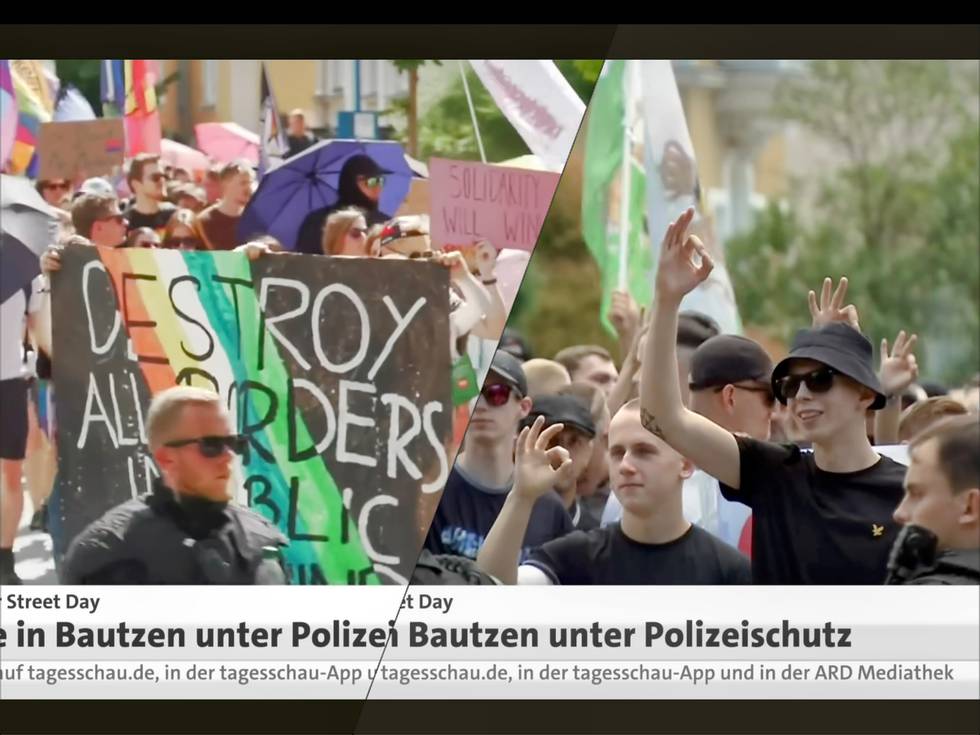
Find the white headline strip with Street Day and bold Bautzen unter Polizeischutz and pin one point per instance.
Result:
(749, 624)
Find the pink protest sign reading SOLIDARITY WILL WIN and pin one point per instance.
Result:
(476, 201)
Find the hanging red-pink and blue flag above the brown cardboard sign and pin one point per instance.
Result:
(128, 89)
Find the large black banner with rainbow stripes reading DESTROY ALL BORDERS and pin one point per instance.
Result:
(336, 370)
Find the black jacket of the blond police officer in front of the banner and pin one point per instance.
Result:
(163, 538)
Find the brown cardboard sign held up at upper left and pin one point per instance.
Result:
(80, 150)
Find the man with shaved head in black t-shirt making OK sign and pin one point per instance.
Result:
(653, 544)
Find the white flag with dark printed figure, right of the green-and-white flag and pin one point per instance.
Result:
(671, 182)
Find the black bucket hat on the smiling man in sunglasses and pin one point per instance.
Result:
(839, 346)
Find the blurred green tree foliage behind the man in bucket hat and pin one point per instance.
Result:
(895, 209)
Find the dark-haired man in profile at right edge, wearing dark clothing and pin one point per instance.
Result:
(940, 541)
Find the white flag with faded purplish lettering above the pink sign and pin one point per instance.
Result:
(538, 101)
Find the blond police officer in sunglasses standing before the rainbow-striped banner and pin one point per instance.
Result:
(185, 531)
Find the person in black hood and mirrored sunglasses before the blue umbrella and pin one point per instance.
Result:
(360, 185)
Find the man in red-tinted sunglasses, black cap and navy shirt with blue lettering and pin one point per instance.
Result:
(483, 475)
